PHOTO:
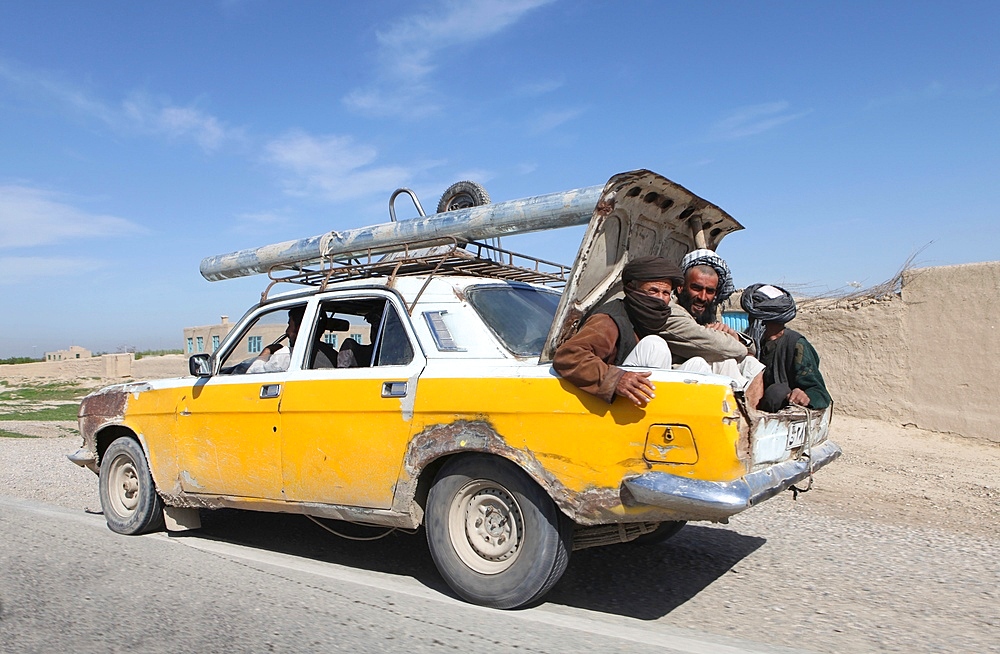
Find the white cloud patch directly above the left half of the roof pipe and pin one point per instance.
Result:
(332, 167)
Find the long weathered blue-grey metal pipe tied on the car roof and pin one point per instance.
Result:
(563, 209)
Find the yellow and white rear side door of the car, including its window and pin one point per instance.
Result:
(345, 429)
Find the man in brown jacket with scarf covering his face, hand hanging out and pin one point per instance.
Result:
(623, 333)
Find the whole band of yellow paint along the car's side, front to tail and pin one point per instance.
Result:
(339, 441)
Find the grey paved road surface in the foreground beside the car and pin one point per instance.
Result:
(272, 583)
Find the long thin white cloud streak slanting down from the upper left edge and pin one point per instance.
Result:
(137, 113)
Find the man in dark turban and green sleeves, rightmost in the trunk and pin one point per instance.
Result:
(792, 372)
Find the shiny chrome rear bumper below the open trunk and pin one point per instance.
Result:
(710, 500)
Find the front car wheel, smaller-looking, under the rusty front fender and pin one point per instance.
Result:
(128, 496)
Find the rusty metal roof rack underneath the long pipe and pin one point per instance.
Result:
(471, 258)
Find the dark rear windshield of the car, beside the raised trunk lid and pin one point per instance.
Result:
(520, 316)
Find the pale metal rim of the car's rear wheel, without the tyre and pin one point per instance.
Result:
(486, 526)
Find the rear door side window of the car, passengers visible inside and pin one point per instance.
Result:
(358, 333)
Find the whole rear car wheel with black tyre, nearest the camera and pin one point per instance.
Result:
(496, 537)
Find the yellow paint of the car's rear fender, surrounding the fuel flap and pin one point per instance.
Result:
(581, 440)
